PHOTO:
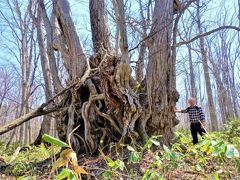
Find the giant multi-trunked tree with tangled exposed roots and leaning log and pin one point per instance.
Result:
(99, 104)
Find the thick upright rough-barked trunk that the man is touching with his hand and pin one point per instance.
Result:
(162, 94)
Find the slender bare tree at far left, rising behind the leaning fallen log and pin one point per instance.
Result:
(23, 32)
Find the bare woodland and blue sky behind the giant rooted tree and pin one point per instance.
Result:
(207, 67)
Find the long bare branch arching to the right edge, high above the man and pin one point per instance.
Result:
(206, 34)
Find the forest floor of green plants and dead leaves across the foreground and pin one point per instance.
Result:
(214, 157)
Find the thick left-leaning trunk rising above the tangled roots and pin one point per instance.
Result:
(72, 50)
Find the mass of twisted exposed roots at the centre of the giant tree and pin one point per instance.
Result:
(105, 106)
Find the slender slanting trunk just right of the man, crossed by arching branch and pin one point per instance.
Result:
(204, 57)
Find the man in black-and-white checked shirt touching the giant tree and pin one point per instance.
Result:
(196, 117)
